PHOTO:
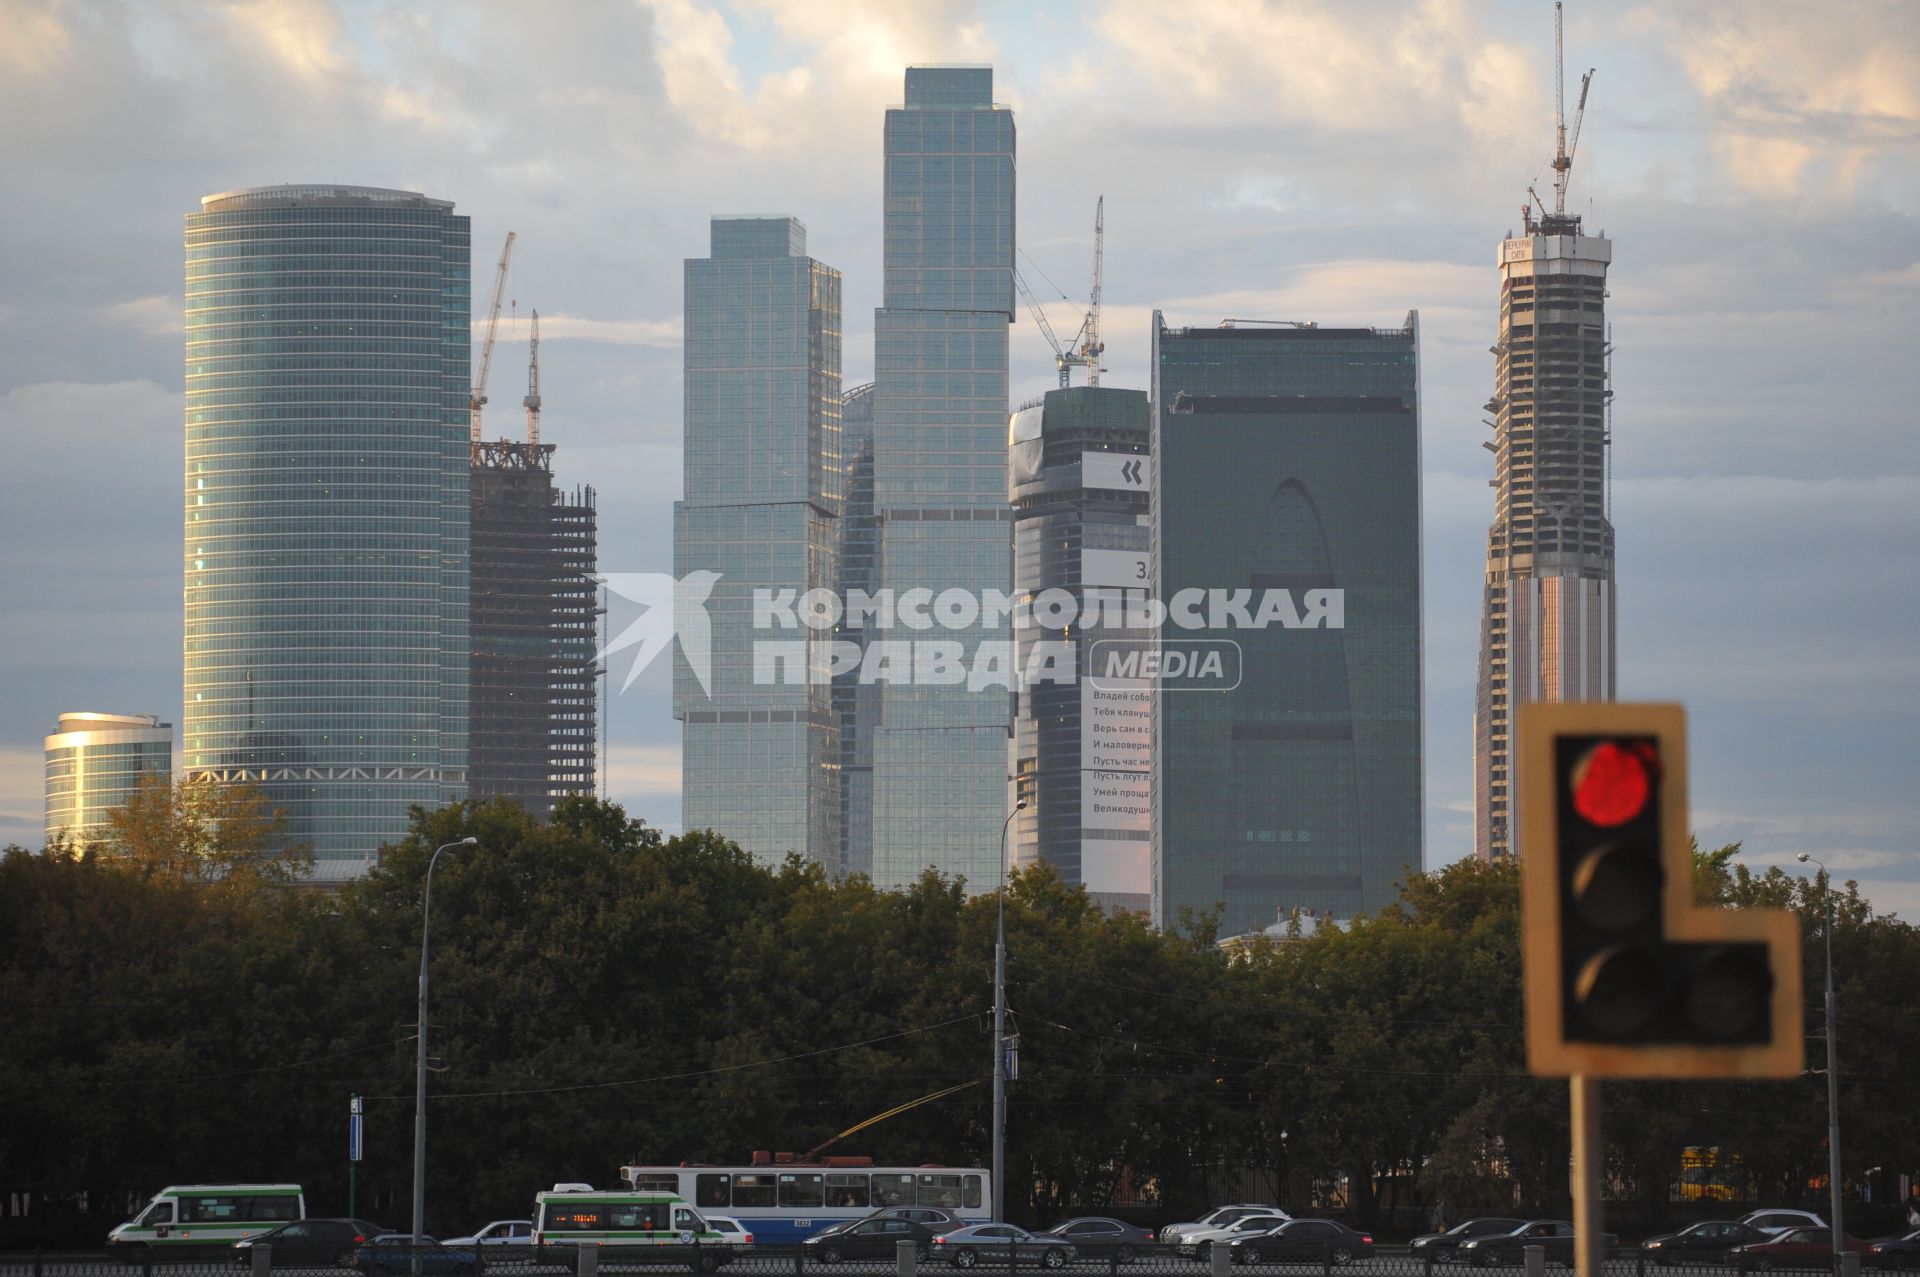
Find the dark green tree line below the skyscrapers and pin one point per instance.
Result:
(606, 996)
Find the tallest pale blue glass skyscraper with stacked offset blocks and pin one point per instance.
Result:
(940, 462)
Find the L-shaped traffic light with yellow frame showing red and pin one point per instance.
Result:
(1625, 975)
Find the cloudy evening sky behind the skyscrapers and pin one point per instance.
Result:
(1756, 166)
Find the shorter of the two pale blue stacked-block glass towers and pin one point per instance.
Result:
(763, 489)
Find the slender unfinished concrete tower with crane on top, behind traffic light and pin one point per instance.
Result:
(1548, 614)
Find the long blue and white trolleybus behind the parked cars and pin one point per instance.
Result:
(788, 1201)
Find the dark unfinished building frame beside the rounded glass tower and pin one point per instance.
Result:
(533, 710)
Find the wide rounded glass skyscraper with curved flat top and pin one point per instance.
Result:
(327, 379)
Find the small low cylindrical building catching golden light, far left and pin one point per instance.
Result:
(95, 763)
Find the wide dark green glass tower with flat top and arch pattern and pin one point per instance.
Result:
(1287, 542)
